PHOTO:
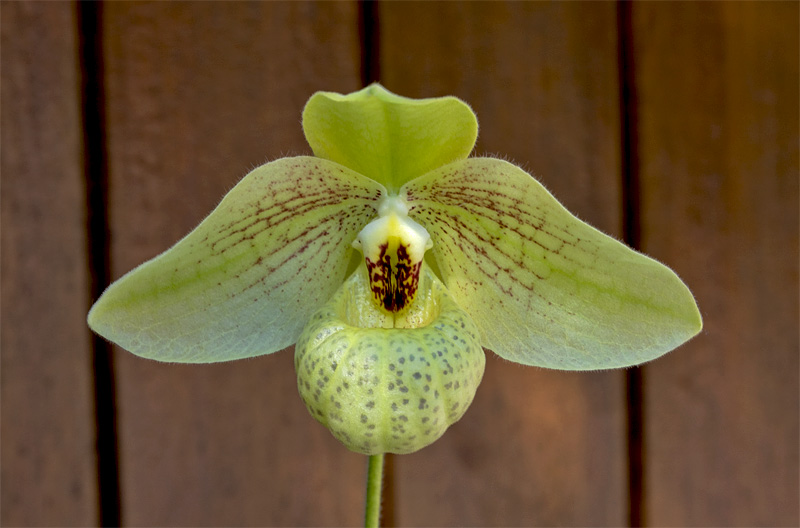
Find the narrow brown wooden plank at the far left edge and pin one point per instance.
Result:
(48, 463)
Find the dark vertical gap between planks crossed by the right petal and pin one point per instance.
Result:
(628, 105)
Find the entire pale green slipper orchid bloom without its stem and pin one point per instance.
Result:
(391, 259)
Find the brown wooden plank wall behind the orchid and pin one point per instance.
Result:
(196, 94)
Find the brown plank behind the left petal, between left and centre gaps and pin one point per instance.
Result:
(198, 94)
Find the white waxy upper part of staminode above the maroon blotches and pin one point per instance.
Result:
(393, 221)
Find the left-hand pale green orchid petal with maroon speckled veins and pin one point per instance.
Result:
(247, 279)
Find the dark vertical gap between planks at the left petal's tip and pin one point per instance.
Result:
(89, 16)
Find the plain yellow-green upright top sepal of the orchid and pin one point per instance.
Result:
(386, 137)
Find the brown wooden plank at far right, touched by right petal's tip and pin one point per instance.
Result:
(718, 136)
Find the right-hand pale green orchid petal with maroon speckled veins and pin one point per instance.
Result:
(545, 288)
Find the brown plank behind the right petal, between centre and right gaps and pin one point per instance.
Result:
(537, 447)
